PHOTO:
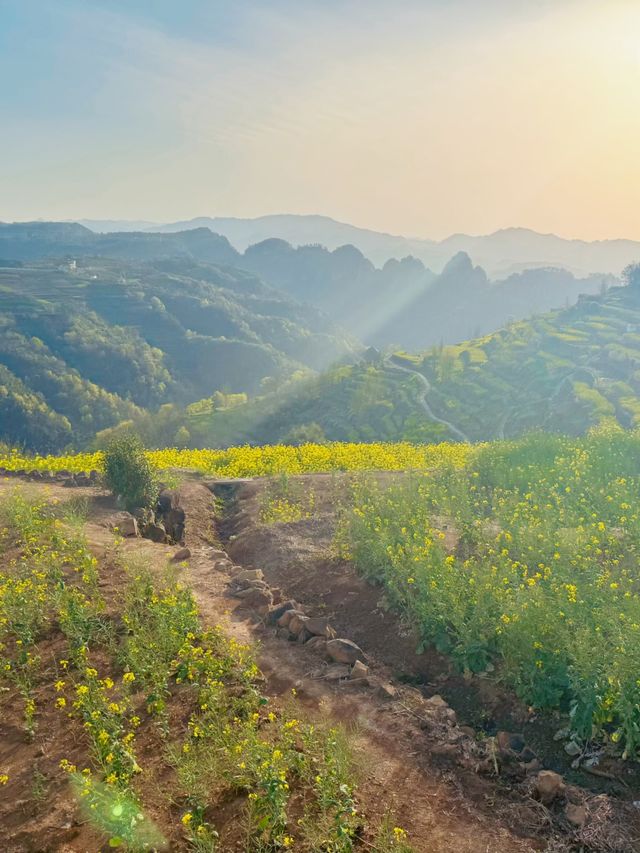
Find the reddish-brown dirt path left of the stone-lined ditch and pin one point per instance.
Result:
(439, 817)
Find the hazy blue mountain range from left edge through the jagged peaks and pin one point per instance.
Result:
(403, 303)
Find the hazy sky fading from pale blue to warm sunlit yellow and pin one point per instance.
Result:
(422, 117)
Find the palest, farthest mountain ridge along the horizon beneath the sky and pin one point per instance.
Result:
(500, 253)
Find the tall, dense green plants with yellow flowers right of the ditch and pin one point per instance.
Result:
(524, 559)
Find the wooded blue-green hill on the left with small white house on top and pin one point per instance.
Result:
(86, 345)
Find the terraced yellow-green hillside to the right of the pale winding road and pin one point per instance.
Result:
(564, 372)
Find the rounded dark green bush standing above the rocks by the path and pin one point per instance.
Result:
(127, 473)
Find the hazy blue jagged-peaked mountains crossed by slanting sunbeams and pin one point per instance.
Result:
(406, 304)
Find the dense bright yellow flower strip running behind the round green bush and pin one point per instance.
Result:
(264, 461)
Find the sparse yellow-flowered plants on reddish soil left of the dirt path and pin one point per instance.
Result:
(160, 719)
